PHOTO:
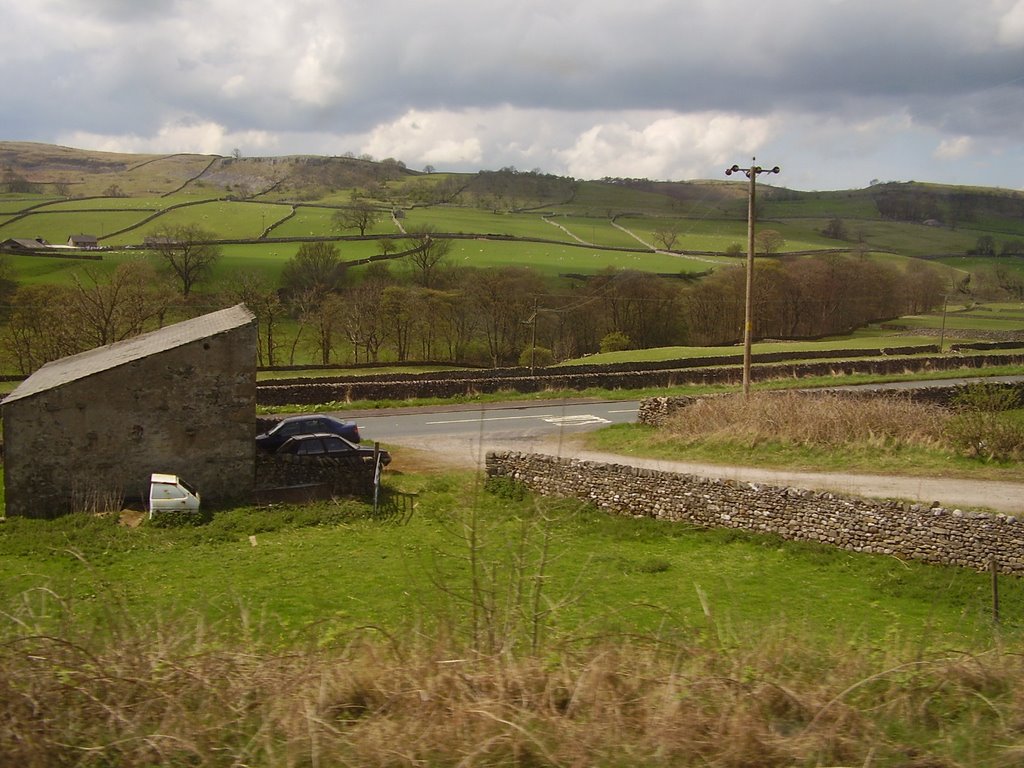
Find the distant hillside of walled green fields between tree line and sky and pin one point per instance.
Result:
(56, 192)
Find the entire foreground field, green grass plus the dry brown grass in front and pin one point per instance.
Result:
(343, 637)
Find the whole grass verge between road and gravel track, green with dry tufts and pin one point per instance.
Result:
(832, 435)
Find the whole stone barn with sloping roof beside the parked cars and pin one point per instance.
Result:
(86, 433)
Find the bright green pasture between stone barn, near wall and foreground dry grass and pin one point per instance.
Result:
(609, 575)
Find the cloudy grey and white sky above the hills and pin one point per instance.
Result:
(837, 93)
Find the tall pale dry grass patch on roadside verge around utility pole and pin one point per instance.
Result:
(813, 420)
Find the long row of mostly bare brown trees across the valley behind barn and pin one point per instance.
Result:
(421, 307)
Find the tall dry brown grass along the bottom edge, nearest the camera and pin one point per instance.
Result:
(172, 695)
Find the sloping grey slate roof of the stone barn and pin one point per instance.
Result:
(83, 365)
